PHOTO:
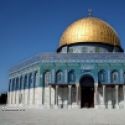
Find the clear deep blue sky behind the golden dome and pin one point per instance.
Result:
(29, 27)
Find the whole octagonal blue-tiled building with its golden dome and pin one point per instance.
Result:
(86, 71)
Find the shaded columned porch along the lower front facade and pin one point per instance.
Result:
(111, 96)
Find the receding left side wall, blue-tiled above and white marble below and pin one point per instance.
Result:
(20, 88)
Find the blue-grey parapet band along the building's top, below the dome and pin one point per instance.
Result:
(115, 57)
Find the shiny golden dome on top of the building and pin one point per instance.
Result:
(92, 30)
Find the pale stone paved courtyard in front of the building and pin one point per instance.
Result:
(63, 117)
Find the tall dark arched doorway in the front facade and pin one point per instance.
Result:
(87, 91)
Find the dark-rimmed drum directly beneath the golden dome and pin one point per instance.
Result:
(88, 47)
